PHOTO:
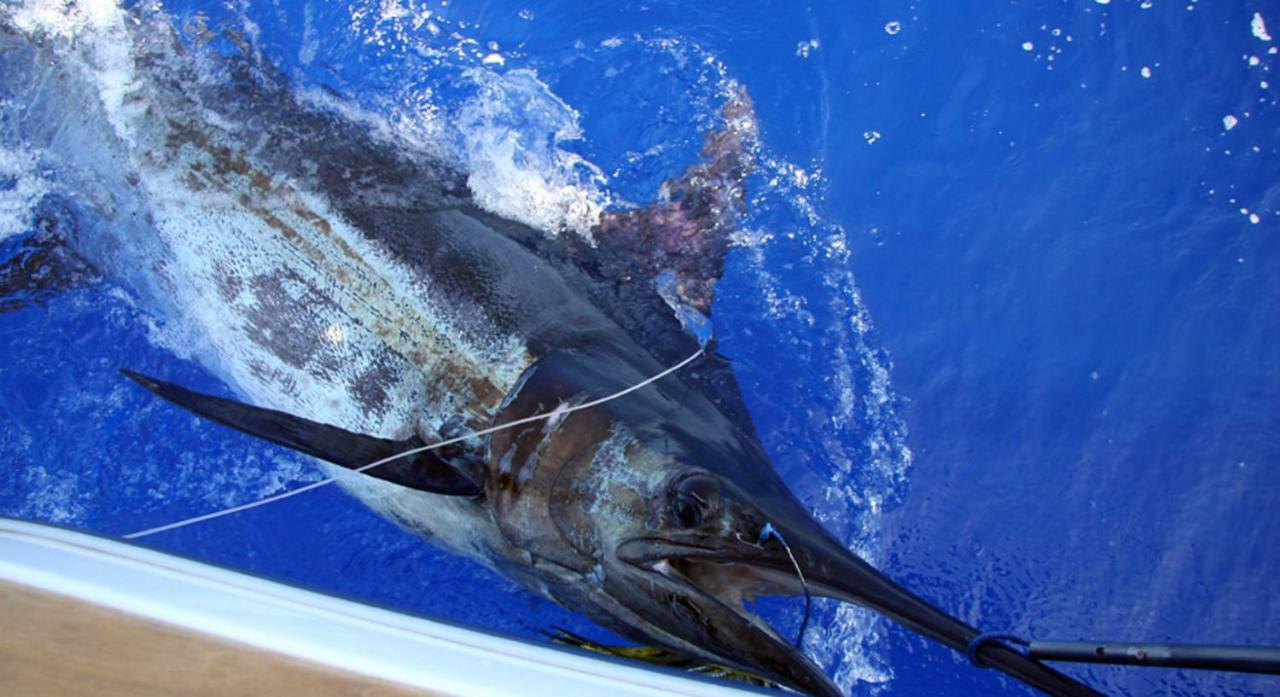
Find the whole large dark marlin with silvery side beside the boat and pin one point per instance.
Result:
(362, 302)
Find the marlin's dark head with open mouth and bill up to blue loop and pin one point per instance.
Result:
(682, 519)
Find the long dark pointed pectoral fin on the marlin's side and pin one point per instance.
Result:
(423, 471)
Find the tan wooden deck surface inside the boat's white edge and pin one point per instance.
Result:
(57, 646)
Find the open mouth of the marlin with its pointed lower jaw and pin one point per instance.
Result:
(707, 588)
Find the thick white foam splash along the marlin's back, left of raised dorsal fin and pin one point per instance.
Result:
(509, 136)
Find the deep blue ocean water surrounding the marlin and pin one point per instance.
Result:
(1004, 309)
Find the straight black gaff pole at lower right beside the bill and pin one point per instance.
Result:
(1240, 659)
